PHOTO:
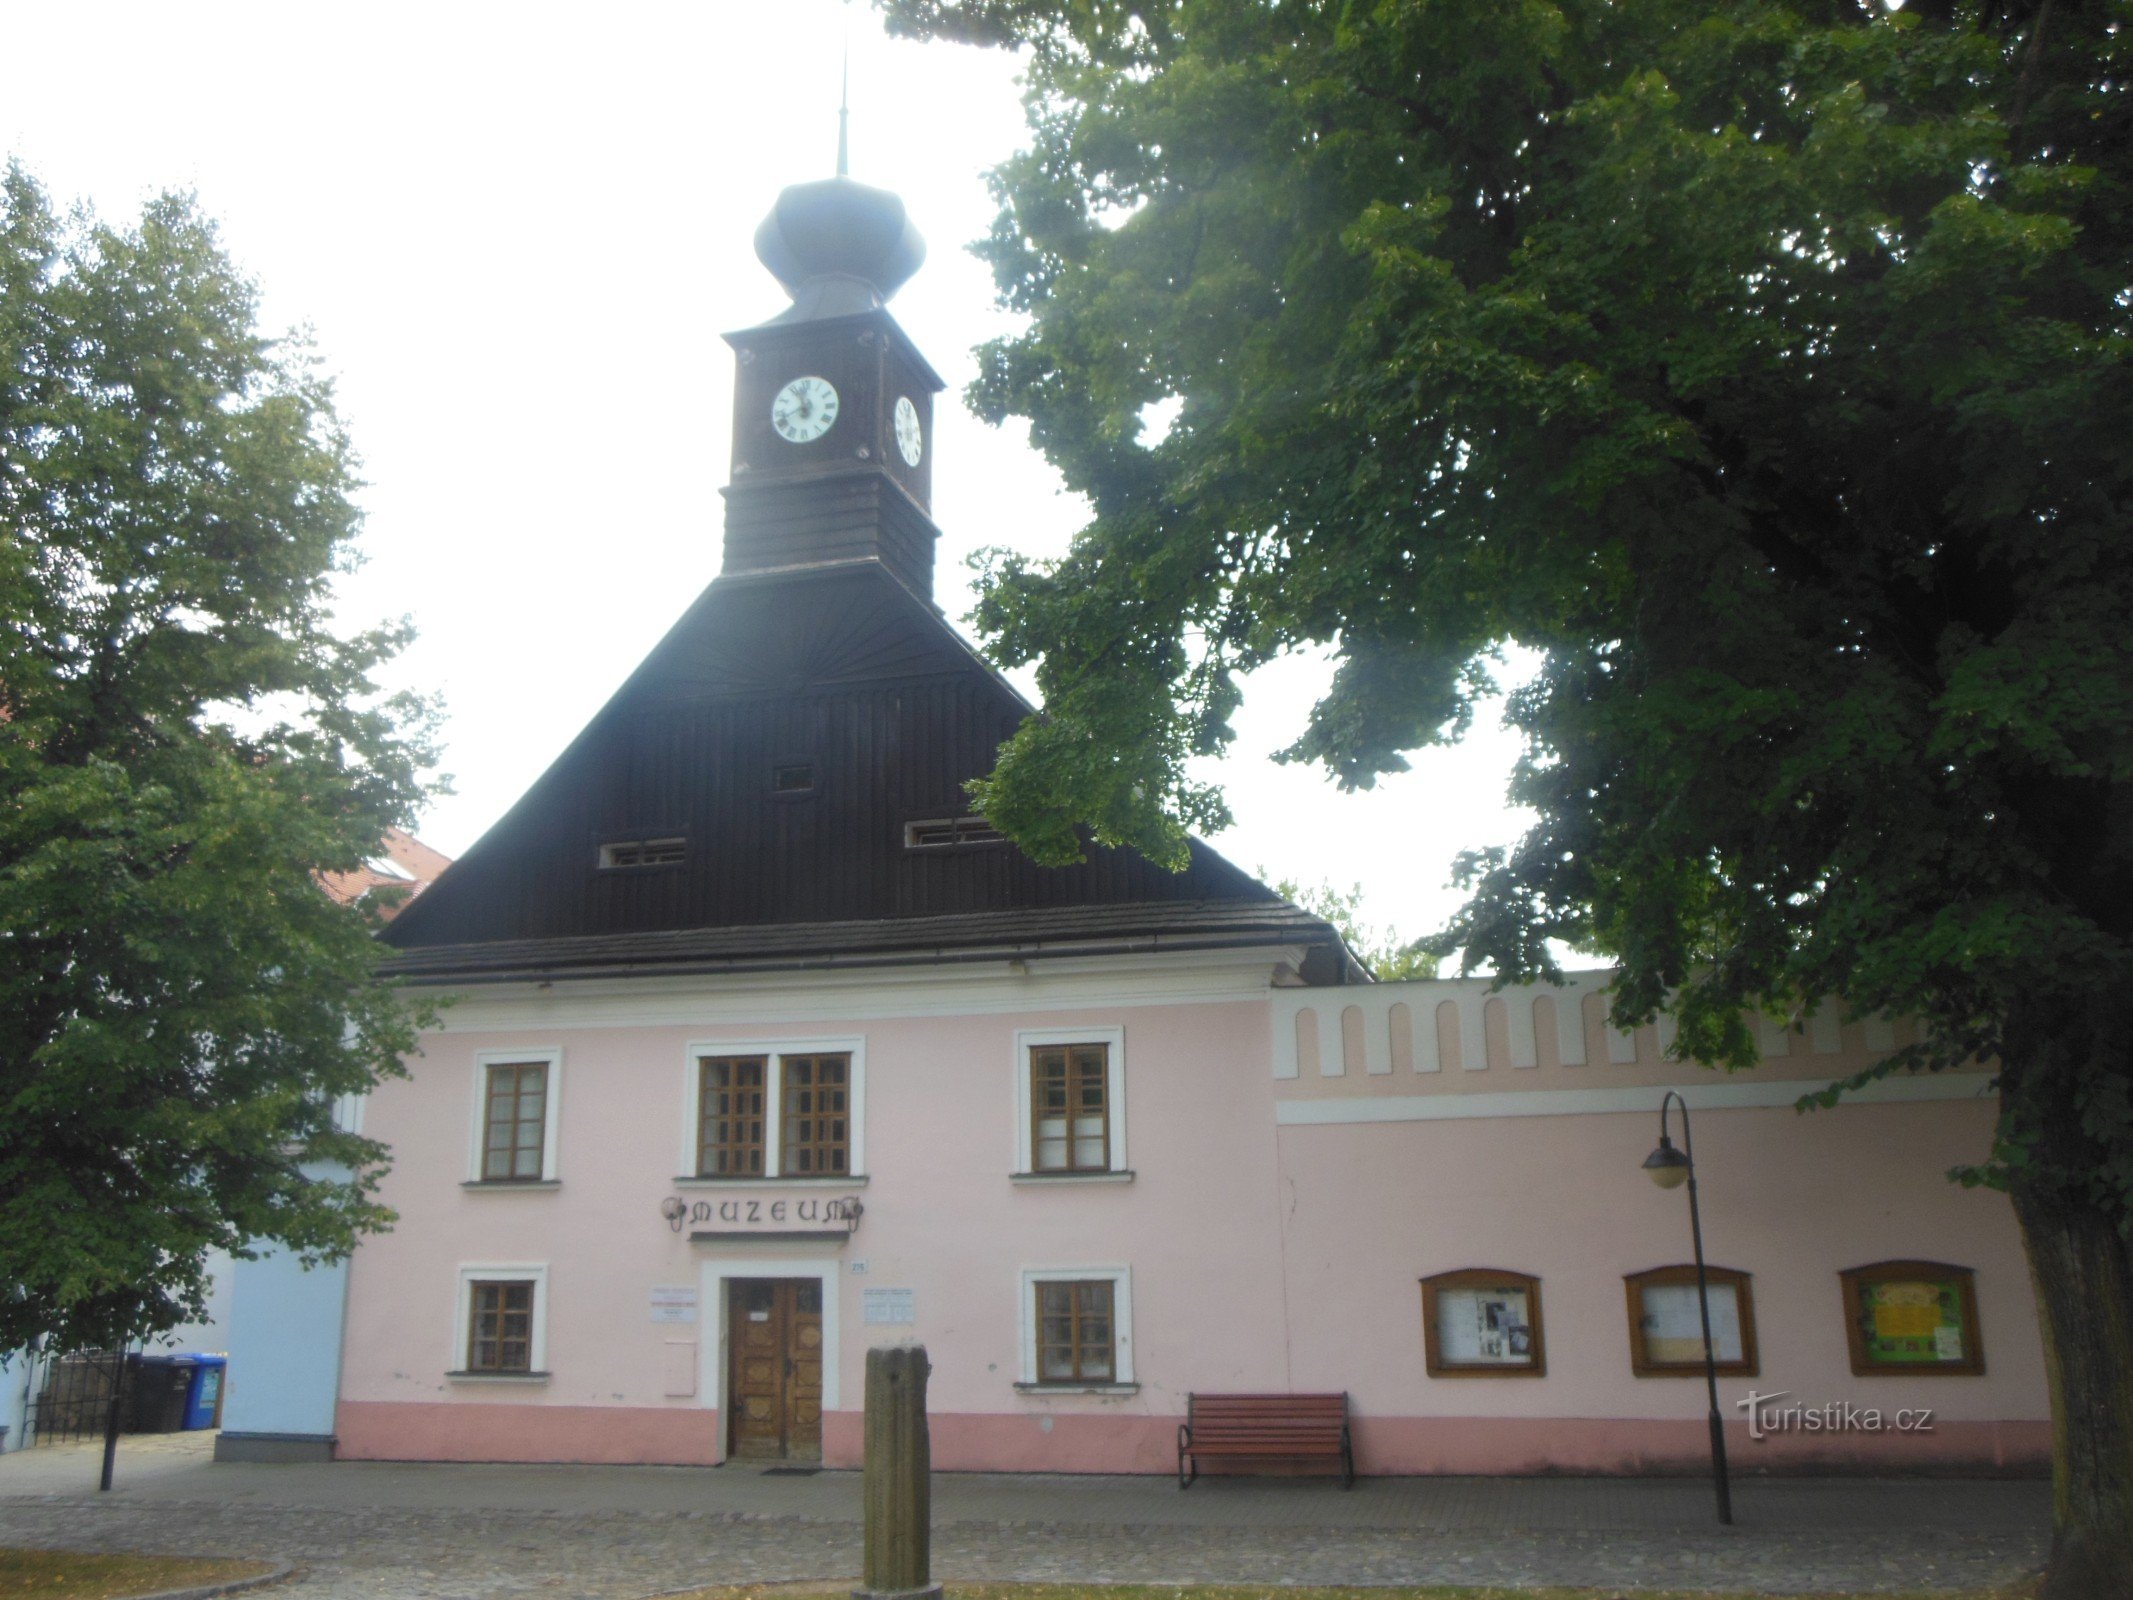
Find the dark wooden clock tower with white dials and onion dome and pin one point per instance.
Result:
(833, 404)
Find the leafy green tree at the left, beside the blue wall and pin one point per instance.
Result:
(185, 748)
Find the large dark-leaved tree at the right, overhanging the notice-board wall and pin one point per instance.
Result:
(1765, 368)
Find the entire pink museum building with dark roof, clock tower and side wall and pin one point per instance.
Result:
(769, 1051)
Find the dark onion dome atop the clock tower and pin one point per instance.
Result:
(839, 249)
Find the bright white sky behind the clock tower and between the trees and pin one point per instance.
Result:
(515, 236)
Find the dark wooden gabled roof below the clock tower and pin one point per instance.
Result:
(850, 673)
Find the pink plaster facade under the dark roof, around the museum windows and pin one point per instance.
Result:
(942, 1219)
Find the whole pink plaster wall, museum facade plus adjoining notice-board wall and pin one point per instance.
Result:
(1264, 1258)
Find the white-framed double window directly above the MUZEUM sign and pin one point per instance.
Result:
(786, 1113)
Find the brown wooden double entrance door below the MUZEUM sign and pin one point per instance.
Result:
(773, 1383)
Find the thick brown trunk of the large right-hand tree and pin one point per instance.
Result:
(2085, 1307)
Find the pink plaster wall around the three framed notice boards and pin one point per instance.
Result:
(1786, 1198)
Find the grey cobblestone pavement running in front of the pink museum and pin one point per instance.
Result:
(496, 1533)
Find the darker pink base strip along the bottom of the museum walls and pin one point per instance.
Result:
(1117, 1443)
